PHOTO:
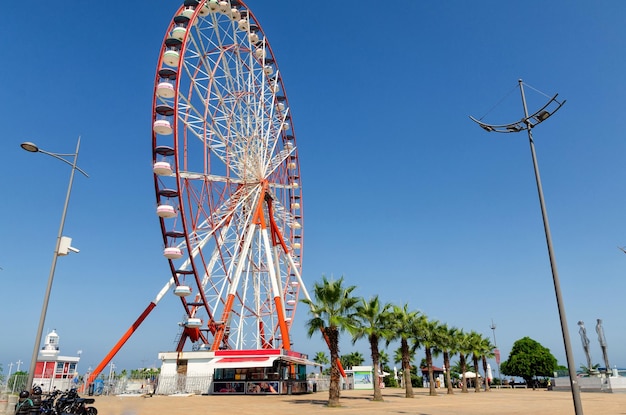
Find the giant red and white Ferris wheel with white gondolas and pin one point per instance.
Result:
(227, 179)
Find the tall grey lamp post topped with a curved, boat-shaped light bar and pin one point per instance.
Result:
(527, 123)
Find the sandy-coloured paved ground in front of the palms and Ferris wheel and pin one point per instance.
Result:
(502, 401)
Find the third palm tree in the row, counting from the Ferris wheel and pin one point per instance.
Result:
(402, 323)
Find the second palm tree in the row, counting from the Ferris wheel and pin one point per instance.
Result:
(372, 322)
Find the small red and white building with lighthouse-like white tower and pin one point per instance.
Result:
(52, 370)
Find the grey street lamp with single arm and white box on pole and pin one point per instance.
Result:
(31, 147)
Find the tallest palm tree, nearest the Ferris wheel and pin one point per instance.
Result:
(332, 310)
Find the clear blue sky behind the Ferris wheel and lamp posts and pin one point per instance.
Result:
(403, 195)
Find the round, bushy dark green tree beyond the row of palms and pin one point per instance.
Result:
(529, 359)
